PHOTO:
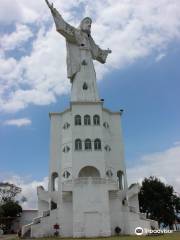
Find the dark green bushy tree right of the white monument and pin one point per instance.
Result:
(159, 201)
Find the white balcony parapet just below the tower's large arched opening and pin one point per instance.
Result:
(110, 184)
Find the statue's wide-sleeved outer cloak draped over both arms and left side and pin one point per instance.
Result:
(75, 40)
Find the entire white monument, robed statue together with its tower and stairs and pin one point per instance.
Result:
(87, 193)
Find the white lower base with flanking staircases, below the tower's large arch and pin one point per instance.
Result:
(96, 214)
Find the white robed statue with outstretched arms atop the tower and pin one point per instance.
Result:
(81, 50)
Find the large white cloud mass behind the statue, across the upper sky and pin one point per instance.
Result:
(132, 29)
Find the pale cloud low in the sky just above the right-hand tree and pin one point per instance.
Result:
(164, 165)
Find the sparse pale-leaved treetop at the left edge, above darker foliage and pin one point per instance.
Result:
(8, 192)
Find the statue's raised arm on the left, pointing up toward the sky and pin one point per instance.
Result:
(62, 26)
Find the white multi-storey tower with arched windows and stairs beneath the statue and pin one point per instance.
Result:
(87, 193)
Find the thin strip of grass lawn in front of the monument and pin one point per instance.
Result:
(169, 236)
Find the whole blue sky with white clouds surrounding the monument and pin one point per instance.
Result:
(142, 76)
